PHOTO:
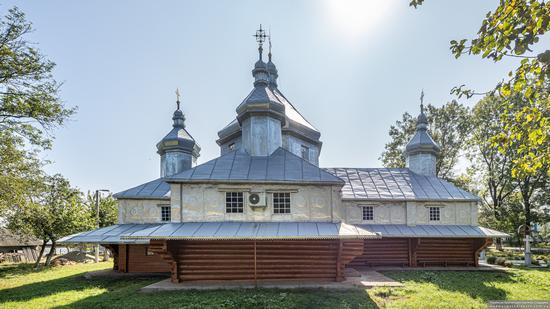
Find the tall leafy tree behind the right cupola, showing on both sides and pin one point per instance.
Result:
(449, 125)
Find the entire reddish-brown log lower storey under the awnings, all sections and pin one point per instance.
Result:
(305, 260)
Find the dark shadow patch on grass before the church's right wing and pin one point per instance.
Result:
(476, 284)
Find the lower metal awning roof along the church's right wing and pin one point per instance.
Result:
(441, 231)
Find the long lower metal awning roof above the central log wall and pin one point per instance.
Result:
(142, 233)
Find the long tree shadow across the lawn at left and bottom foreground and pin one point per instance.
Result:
(124, 293)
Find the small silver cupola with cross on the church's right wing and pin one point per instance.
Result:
(422, 151)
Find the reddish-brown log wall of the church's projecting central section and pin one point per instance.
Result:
(267, 260)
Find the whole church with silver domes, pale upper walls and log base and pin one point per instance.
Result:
(265, 210)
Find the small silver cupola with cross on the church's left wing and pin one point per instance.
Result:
(178, 150)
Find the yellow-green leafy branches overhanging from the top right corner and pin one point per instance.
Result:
(511, 30)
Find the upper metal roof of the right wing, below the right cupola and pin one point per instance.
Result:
(395, 184)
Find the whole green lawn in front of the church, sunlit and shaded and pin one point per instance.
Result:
(60, 287)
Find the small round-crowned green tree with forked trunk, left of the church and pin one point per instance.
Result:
(55, 212)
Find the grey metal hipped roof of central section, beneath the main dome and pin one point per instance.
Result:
(281, 166)
